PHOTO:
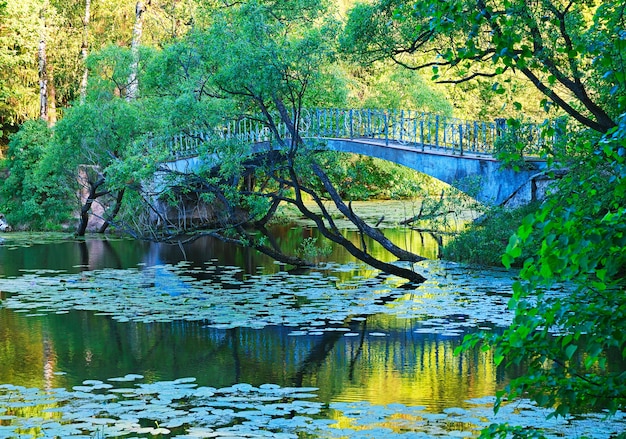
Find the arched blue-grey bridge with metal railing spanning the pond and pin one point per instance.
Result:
(459, 152)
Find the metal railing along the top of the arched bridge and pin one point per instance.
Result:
(413, 129)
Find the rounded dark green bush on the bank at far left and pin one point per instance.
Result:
(33, 196)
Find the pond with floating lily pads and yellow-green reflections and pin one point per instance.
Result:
(119, 338)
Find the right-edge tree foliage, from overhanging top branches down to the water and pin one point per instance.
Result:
(572, 345)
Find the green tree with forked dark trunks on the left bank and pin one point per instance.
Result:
(99, 138)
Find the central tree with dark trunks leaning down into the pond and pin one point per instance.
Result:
(261, 61)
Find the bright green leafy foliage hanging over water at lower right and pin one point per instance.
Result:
(570, 307)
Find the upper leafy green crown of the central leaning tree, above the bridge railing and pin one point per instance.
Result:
(263, 50)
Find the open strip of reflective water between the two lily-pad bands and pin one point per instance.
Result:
(399, 366)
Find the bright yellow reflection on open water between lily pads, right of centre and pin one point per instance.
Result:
(406, 367)
